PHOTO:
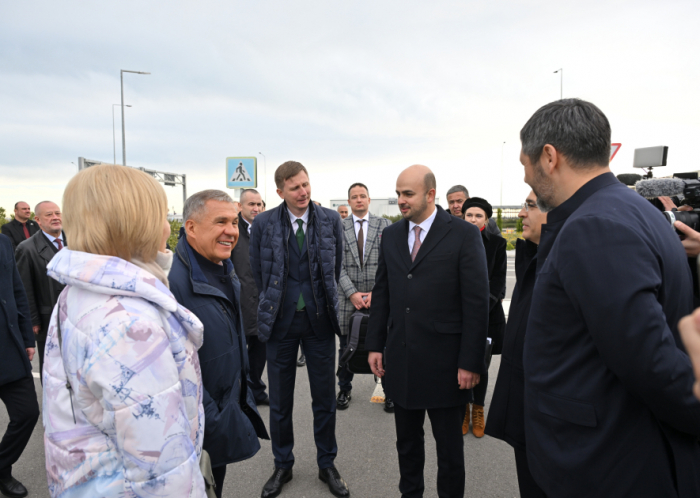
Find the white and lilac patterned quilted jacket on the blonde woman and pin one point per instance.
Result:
(134, 423)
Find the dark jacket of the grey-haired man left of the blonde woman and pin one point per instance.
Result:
(42, 291)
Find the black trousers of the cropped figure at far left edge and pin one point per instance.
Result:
(22, 407)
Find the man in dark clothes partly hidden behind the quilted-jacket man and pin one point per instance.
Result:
(251, 206)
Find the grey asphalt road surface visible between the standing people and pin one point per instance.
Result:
(366, 450)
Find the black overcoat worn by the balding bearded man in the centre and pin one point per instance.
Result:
(430, 314)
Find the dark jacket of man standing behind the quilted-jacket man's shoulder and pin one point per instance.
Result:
(240, 257)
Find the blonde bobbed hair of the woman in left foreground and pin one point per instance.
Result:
(115, 211)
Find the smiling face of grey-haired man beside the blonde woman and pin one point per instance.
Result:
(214, 233)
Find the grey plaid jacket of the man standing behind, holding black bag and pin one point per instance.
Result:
(355, 277)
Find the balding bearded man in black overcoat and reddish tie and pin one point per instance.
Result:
(430, 308)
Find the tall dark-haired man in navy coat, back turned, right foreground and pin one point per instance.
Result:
(609, 409)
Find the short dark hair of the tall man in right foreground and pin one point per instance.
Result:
(576, 128)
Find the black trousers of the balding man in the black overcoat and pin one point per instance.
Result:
(410, 444)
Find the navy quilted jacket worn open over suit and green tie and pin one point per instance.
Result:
(269, 258)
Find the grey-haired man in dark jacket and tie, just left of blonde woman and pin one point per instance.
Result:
(32, 257)
